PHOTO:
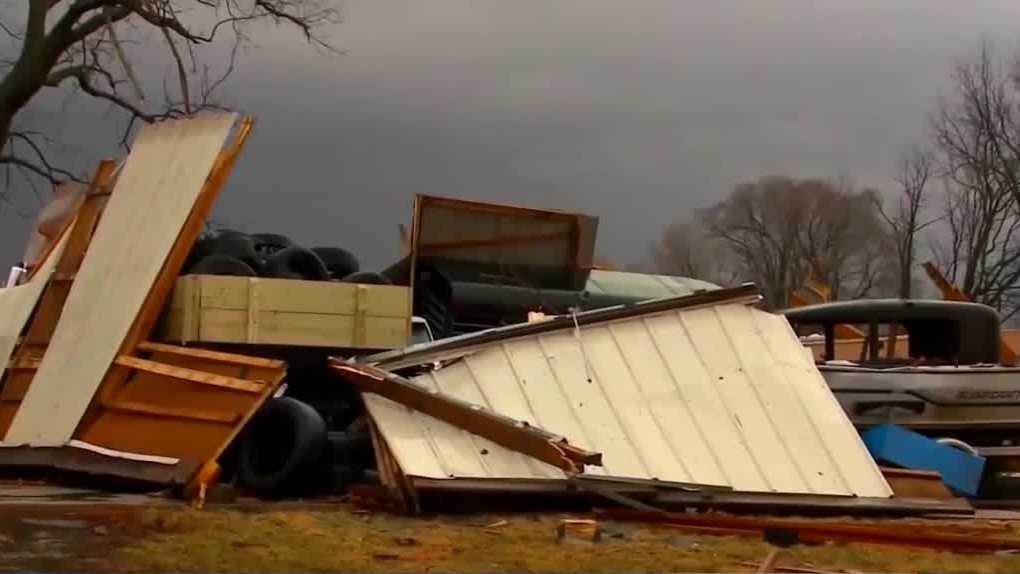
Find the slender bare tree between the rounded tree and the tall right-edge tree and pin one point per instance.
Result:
(908, 220)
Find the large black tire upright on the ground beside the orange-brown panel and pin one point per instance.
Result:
(283, 443)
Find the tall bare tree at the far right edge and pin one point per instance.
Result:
(978, 139)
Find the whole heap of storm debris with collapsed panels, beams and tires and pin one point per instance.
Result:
(139, 348)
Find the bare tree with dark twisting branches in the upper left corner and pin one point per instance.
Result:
(91, 45)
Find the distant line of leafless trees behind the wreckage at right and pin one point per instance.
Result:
(956, 202)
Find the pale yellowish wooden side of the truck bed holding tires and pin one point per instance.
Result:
(267, 311)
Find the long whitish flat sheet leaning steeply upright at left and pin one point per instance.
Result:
(156, 192)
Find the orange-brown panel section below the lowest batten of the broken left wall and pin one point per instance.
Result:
(148, 435)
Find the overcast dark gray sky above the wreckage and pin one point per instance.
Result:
(637, 113)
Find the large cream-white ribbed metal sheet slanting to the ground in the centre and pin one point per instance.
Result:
(723, 396)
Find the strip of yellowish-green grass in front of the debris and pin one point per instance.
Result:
(342, 540)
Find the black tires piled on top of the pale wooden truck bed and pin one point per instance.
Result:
(228, 252)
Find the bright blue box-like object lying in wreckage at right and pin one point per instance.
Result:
(961, 472)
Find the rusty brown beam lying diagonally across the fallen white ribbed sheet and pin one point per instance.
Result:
(515, 435)
